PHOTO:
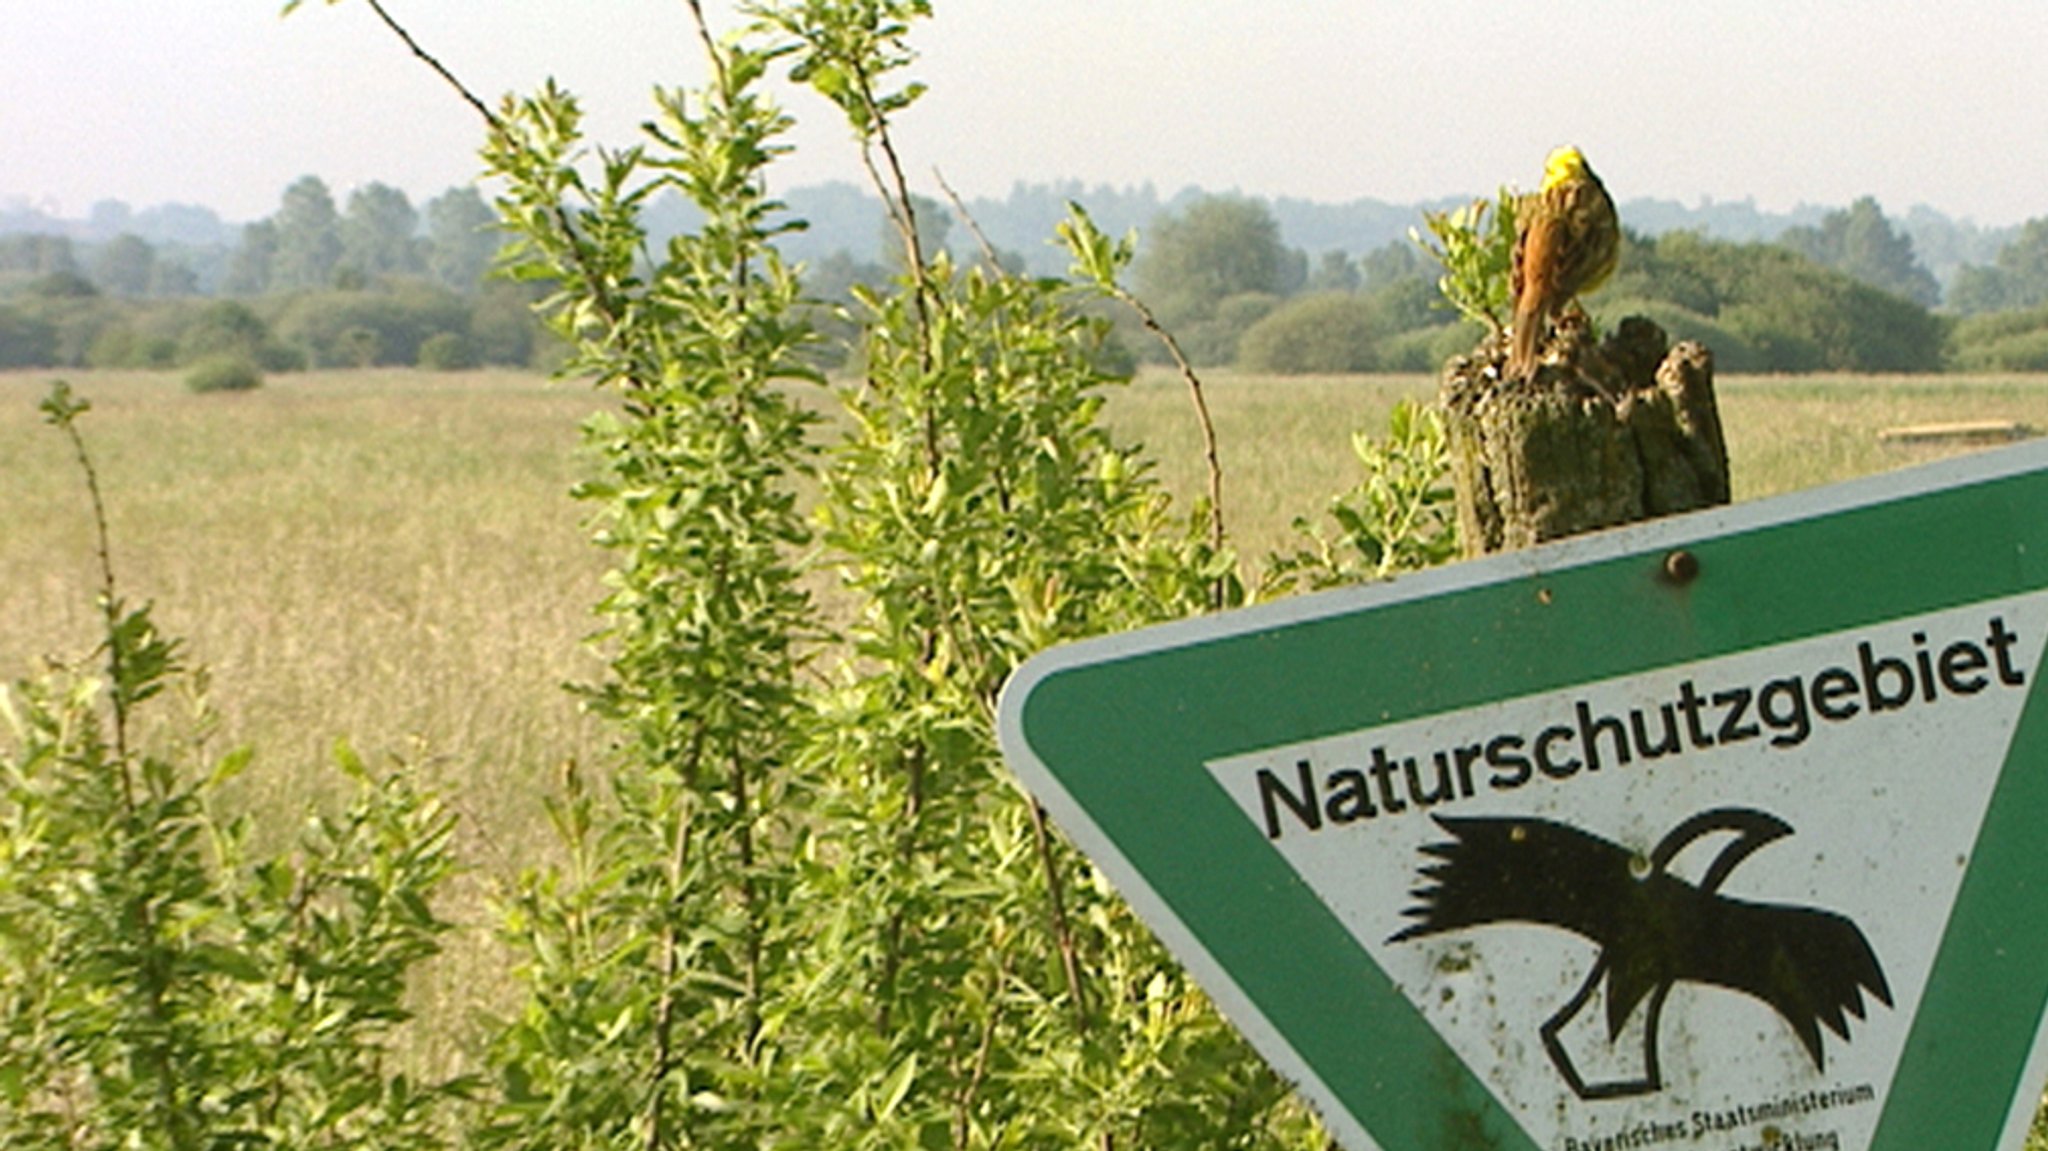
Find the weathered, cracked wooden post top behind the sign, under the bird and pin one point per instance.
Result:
(1603, 435)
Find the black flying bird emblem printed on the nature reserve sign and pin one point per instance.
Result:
(1654, 929)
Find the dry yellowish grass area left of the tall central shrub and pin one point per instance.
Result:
(380, 556)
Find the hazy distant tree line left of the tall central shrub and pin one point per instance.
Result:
(312, 286)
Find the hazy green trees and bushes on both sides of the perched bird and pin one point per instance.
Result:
(1842, 294)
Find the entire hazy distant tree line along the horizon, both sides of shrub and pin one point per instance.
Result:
(378, 282)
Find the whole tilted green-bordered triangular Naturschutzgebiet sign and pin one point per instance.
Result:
(1586, 849)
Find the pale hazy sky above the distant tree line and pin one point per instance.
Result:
(1787, 101)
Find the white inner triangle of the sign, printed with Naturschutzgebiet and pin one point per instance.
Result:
(1852, 769)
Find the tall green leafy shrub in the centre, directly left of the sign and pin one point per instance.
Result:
(810, 908)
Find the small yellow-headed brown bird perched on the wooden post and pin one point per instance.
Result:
(1568, 241)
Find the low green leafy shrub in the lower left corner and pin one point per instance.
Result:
(167, 984)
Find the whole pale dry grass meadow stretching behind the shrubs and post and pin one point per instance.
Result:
(394, 558)
